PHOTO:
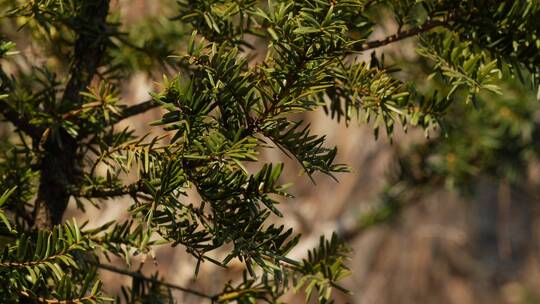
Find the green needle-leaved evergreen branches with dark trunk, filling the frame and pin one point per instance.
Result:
(225, 98)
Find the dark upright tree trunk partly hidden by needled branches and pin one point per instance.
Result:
(60, 164)
